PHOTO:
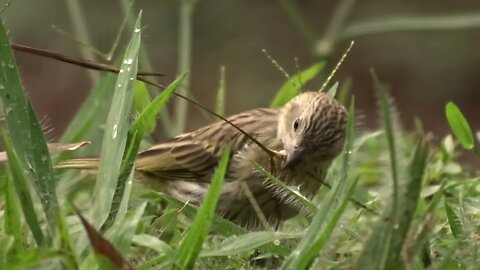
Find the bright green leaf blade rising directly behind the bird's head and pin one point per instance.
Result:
(293, 86)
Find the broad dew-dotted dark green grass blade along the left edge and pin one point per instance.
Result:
(26, 133)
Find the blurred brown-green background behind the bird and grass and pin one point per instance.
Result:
(425, 68)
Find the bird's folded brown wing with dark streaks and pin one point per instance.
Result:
(194, 156)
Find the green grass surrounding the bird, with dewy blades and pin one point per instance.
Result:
(392, 200)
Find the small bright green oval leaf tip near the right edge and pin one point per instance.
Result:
(459, 126)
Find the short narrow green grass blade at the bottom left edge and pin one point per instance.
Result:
(12, 222)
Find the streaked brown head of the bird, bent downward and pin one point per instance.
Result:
(312, 126)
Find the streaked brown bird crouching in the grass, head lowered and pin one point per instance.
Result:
(309, 130)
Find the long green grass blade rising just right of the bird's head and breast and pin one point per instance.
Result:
(329, 212)
